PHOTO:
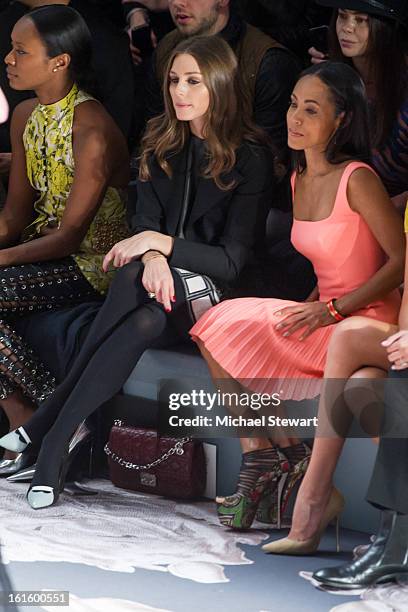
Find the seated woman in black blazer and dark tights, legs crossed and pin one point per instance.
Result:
(205, 182)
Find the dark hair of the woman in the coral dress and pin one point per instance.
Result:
(352, 138)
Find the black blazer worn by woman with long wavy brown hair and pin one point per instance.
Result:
(223, 226)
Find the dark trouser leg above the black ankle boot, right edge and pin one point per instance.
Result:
(388, 488)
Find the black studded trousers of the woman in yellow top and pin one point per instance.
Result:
(27, 289)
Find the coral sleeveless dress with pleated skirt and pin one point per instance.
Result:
(240, 334)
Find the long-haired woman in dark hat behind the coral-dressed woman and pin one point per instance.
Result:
(371, 37)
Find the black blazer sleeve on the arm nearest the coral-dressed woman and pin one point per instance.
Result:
(246, 213)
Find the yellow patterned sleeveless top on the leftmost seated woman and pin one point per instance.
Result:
(50, 168)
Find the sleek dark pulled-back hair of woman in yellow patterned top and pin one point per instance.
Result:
(63, 30)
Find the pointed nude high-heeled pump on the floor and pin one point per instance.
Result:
(286, 546)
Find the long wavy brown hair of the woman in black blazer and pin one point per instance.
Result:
(225, 126)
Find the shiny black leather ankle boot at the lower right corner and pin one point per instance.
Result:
(386, 560)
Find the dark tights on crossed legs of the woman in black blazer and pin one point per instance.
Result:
(127, 324)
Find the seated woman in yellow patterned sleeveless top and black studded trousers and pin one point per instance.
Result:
(63, 210)
